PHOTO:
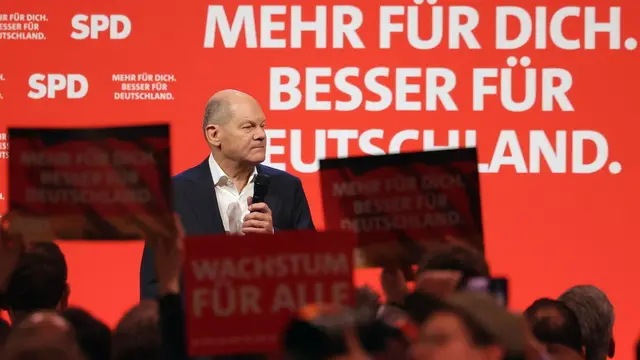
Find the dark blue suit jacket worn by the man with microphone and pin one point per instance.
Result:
(194, 199)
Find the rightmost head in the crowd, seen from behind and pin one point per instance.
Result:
(596, 316)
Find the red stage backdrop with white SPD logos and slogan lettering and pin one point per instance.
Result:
(547, 228)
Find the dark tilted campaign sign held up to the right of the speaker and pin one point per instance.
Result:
(399, 204)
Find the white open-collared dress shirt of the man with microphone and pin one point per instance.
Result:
(231, 202)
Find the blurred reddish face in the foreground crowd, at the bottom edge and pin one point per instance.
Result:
(445, 337)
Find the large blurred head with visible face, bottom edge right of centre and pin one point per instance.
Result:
(470, 326)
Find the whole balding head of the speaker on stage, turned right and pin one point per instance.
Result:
(233, 125)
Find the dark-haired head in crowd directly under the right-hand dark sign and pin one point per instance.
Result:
(444, 267)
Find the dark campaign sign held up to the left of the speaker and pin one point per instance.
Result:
(92, 184)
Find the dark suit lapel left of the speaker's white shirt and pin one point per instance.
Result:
(203, 200)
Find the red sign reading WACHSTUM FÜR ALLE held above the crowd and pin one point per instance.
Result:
(241, 291)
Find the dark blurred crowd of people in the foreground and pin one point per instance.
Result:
(434, 319)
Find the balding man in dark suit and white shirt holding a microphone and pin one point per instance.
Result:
(215, 196)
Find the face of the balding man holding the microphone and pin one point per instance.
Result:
(243, 139)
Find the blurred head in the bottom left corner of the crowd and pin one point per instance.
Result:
(42, 336)
